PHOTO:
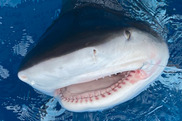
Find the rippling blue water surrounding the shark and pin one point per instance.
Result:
(22, 22)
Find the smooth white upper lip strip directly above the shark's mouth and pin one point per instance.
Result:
(86, 77)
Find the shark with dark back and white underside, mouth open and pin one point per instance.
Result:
(96, 67)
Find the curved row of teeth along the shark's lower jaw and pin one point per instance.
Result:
(129, 78)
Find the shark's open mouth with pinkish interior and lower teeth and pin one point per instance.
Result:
(100, 88)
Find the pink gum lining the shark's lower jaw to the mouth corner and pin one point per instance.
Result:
(132, 78)
